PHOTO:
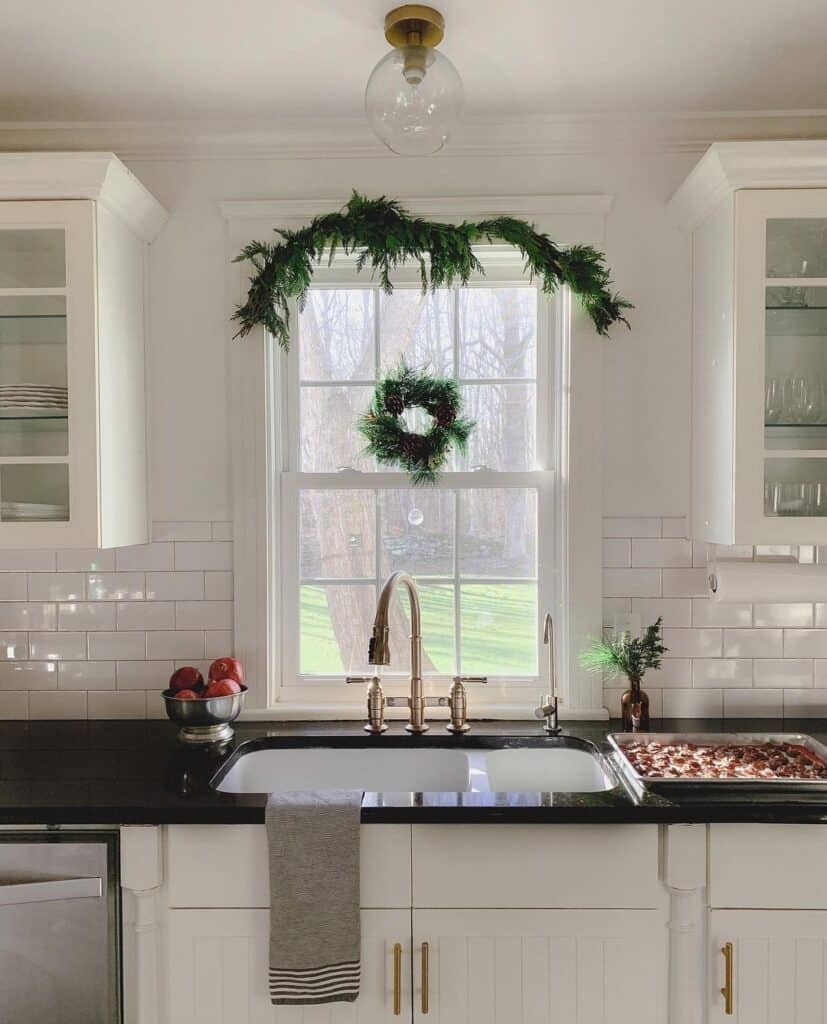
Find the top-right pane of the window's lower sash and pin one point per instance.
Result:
(498, 533)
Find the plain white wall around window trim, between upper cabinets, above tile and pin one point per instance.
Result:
(646, 398)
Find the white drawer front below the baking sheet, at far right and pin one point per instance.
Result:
(768, 867)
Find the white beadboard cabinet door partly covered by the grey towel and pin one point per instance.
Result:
(219, 970)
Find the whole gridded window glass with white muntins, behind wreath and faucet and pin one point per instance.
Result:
(472, 542)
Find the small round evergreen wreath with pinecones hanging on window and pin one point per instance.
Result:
(388, 438)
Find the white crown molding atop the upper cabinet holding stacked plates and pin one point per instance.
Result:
(99, 177)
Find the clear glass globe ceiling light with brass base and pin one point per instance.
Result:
(415, 95)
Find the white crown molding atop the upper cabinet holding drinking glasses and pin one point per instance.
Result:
(726, 167)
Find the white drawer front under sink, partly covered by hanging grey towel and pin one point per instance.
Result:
(227, 867)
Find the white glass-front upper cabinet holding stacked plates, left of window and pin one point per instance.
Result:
(74, 232)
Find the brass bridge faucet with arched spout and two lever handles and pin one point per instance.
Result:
(379, 654)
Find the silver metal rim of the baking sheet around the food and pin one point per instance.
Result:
(618, 741)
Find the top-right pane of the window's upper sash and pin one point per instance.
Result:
(498, 332)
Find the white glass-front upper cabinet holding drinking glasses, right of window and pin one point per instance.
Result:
(758, 214)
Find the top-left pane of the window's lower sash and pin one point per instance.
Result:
(338, 535)
